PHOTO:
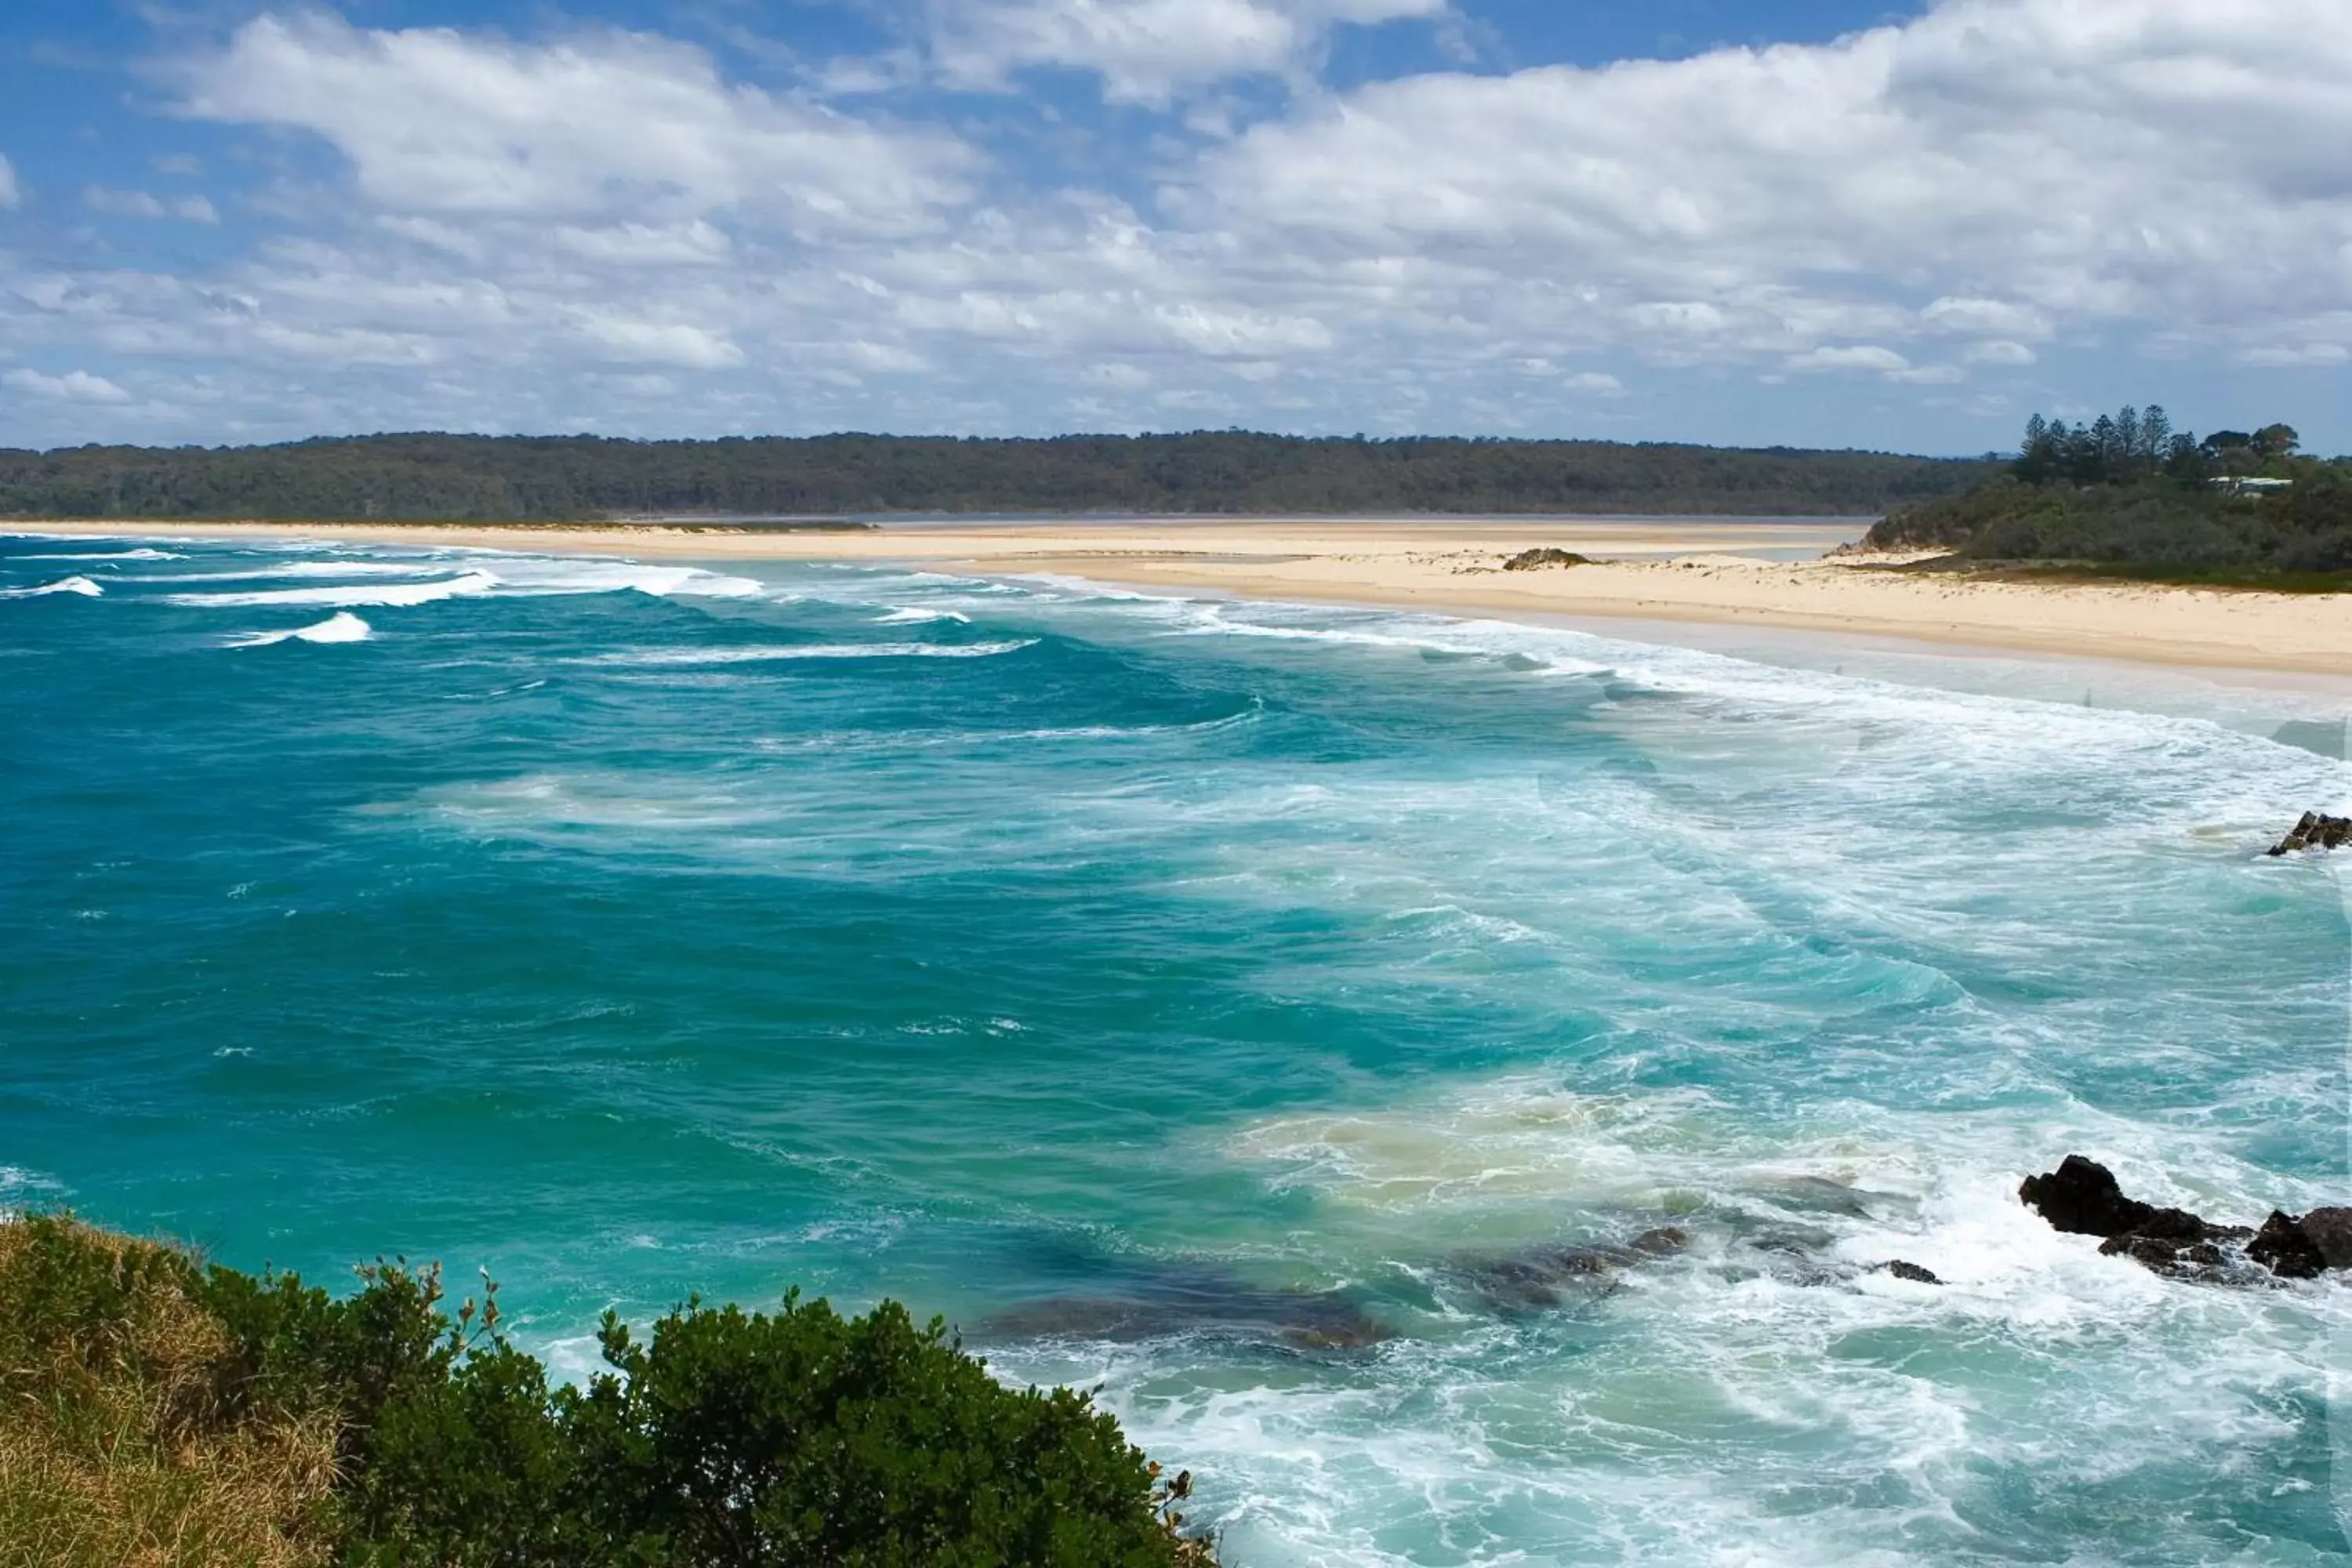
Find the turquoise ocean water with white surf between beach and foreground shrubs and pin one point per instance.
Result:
(1177, 993)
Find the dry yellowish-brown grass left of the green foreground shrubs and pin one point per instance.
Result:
(116, 1442)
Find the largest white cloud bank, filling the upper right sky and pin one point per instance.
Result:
(2003, 163)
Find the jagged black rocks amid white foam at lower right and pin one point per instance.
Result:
(2085, 1198)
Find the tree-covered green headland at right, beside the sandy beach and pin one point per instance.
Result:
(2130, 492)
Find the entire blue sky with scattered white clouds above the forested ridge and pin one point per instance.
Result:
(1812, 222)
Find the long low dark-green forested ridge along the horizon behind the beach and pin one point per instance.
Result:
(566, 478)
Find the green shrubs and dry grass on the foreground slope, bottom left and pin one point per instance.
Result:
(171, 1414)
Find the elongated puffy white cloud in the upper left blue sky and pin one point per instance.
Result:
(624, 126)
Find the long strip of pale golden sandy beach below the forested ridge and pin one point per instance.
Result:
(1730, 572)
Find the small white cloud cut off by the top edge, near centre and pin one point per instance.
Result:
(1147, 51)
